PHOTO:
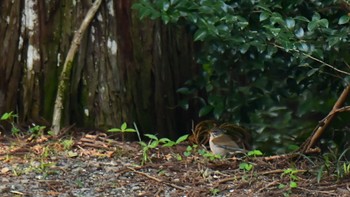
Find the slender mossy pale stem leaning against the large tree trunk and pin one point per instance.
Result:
(67, 67)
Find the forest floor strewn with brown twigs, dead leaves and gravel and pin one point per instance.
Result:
(96, 165)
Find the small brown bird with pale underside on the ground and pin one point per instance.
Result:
(222, 144)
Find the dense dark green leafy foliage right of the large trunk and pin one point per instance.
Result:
(275, 65)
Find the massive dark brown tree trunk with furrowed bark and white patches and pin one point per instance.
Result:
(125, 69)
